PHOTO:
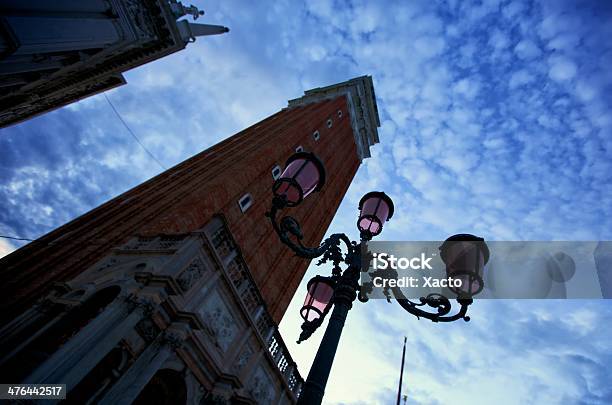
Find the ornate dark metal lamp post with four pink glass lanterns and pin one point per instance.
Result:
(464, 256)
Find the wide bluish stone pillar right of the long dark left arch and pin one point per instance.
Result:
(75, 359)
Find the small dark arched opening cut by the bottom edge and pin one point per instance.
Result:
(166, 387)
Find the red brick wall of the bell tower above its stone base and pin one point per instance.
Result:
(185, 198)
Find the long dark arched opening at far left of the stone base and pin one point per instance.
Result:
(41, 348)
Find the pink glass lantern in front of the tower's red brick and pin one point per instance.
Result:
(303, 174)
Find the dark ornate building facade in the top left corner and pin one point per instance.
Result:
(53, 53)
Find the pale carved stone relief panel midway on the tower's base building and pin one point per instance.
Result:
(219, 320)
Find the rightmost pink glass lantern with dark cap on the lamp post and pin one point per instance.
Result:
(465, 256)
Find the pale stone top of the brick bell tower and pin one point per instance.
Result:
(361, 100)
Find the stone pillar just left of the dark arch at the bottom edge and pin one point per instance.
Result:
(148, 363)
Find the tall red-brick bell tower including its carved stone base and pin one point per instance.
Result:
(181, 281)
